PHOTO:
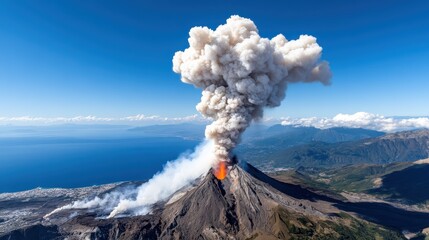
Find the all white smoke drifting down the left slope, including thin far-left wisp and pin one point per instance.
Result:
(176, 175)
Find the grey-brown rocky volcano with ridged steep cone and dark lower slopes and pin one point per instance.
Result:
(246, 204)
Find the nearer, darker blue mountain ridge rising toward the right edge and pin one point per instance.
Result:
(395, 147)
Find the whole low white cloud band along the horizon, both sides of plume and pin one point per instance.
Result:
(356, 120)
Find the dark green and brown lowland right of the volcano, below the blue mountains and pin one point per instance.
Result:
(388, 181)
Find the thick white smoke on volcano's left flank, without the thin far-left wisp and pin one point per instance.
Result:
(174, 176)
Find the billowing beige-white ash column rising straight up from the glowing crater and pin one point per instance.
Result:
(240, 73)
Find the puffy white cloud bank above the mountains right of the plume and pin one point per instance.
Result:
(361, 120)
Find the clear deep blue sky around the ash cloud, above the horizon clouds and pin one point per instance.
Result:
(113, 58)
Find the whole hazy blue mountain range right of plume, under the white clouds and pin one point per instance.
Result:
(287, 151)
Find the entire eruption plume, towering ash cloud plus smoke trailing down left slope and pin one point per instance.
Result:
(240, 74)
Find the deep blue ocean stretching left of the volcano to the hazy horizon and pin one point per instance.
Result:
(43, 160)
